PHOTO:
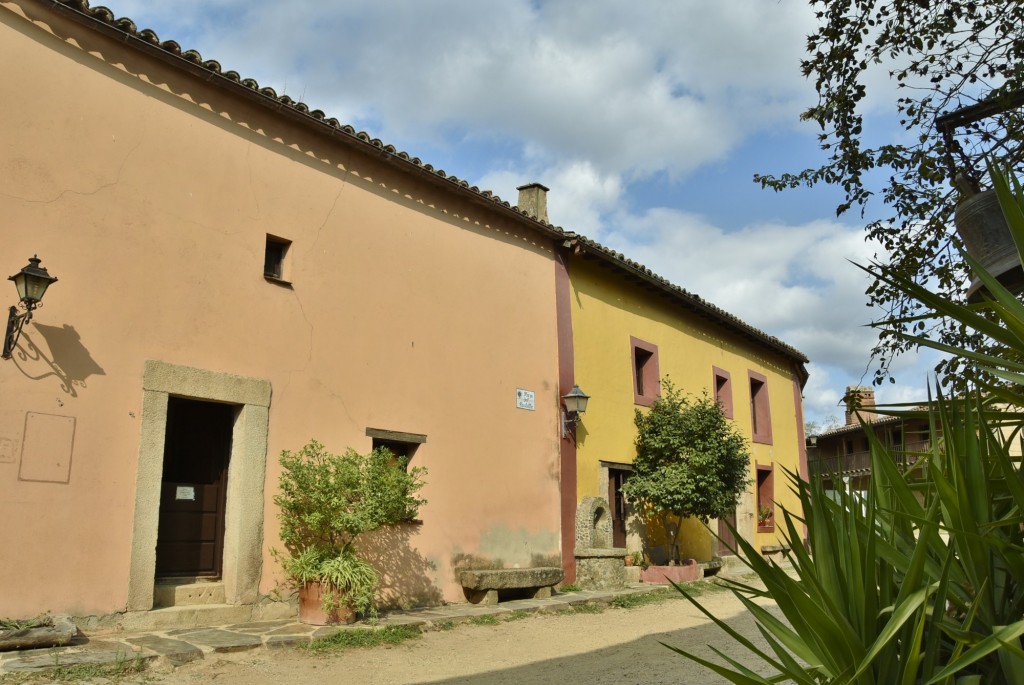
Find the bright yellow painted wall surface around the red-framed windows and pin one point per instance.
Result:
(608, 314)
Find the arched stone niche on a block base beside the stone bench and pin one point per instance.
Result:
(600, 566)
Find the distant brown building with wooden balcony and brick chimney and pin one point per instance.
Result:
(845, 452)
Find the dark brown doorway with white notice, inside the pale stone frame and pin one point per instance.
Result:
(197, 448)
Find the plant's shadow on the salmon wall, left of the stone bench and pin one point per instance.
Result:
(407, 577)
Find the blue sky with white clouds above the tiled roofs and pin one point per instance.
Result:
(648, 120)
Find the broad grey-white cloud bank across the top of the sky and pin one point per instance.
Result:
(629, 90)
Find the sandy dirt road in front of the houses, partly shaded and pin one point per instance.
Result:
(616, 647)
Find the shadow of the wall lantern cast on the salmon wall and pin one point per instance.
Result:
(71, 363)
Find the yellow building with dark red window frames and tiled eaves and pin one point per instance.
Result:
(631, 329)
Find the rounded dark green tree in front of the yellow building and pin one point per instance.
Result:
(691, 462)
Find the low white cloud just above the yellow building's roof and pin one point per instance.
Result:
(794, 281)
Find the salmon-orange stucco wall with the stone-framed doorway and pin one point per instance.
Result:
(150, 195)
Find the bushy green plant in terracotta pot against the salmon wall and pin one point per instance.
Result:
(326, 502)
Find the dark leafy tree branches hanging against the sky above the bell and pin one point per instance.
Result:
(943, 56)
